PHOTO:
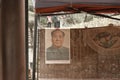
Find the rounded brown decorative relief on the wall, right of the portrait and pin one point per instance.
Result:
(104, 40)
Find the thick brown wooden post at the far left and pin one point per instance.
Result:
(13, 39)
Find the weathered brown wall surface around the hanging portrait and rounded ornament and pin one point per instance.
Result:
(85, 62)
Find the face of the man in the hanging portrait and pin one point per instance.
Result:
(57, 39)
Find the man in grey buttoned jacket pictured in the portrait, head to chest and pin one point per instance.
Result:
(57, 51)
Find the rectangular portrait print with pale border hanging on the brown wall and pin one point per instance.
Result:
(57, 46)
